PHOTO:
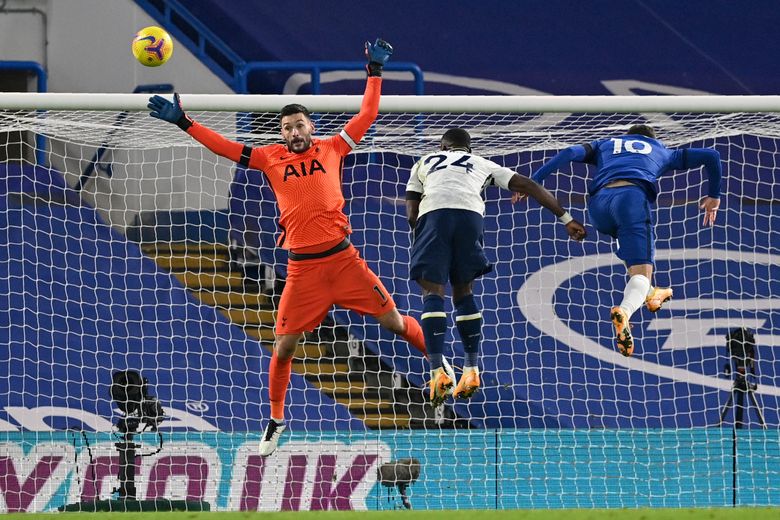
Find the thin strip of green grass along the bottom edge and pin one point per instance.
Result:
(555, 514)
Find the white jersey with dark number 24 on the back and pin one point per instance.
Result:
(455, 180)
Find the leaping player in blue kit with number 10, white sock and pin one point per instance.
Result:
(621, 192)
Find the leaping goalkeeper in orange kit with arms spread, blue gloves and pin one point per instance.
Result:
(324, 268)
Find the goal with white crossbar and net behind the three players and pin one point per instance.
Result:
(126, 245)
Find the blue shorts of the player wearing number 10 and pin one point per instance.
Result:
(624, 213)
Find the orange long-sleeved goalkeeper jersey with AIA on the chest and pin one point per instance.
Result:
(307, 185)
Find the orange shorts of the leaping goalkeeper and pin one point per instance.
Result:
(313, 286)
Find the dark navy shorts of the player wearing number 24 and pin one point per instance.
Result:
(448, 246)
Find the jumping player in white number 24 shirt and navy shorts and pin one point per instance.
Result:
(445, 208)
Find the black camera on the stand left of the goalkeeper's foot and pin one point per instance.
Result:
(130, 391)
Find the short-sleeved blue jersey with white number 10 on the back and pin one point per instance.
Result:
(634, 158)
